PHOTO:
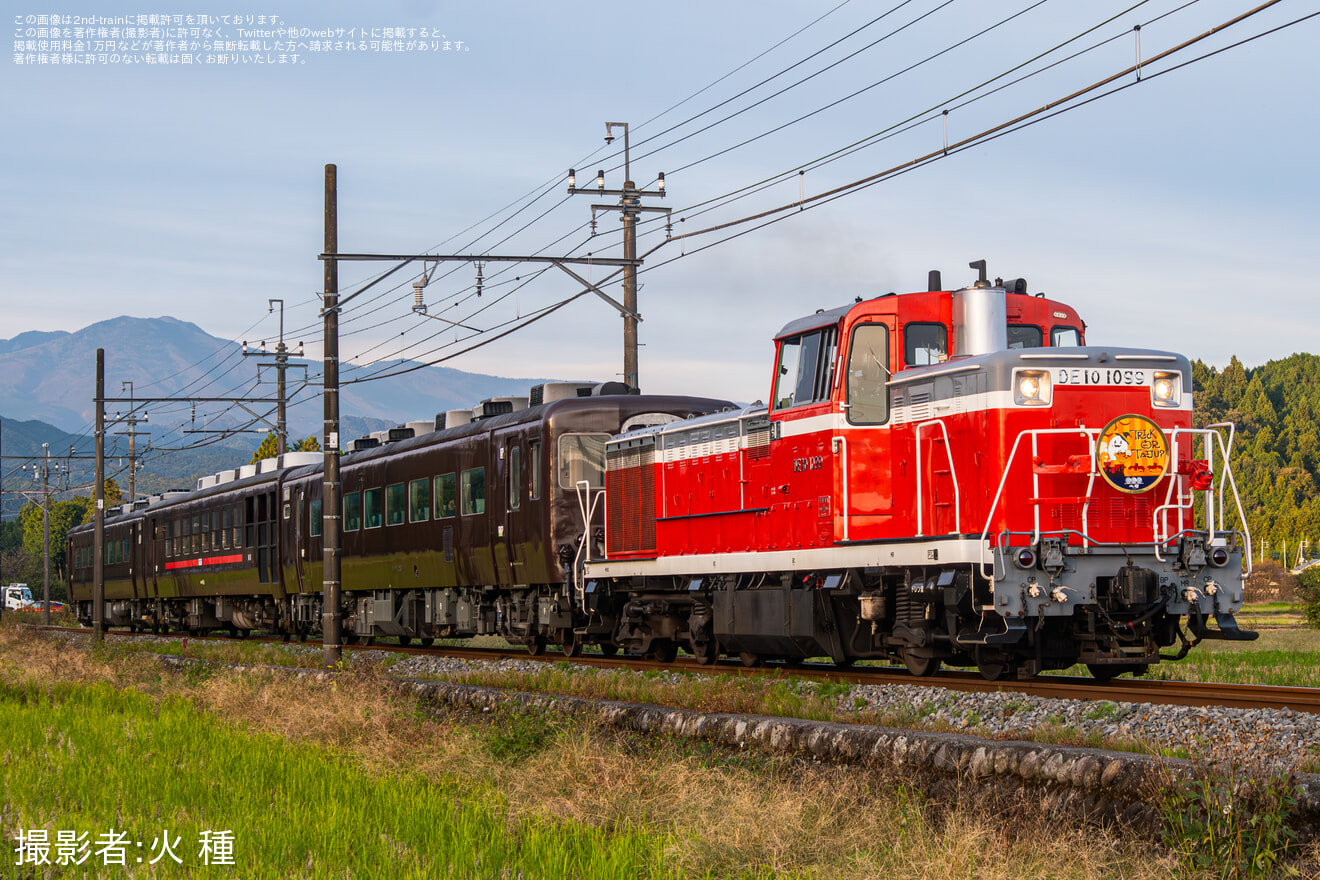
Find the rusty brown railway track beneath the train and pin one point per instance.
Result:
(1132, 691)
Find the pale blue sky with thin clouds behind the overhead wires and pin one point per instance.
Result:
(1177, 213)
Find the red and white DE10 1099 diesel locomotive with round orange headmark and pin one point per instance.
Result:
(944, 477)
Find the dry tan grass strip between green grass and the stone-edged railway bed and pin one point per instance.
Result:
(731, 815)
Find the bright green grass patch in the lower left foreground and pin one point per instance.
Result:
(93, 759)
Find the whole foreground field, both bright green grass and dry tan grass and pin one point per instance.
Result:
(339, 779)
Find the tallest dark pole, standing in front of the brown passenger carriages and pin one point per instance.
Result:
(331, 505)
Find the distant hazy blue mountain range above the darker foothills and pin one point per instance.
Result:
(52, 377)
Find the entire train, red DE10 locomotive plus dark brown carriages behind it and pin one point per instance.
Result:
(940, 478)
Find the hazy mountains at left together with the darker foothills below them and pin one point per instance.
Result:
(48, 387)
